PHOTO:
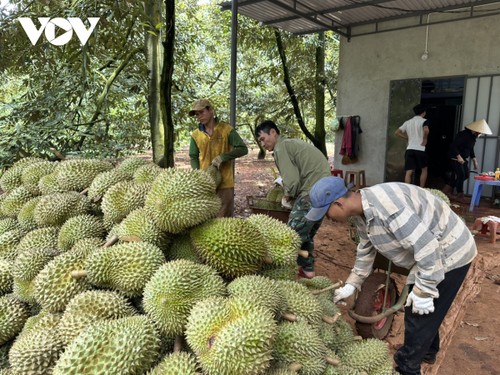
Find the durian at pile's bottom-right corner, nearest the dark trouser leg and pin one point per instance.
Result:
(365, 355)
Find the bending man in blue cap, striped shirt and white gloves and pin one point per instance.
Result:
(416, 230)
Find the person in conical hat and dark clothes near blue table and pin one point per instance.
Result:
(461, 149)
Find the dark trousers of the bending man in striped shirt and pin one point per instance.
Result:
(422, 331)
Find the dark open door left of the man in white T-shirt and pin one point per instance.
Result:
(404, 95)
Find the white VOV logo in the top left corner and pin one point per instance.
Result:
(49, 25)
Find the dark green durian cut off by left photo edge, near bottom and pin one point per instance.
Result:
(13, 315)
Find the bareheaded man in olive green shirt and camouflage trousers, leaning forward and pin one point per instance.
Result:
(300, 165)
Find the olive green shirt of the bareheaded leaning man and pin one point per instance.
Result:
(300, 165)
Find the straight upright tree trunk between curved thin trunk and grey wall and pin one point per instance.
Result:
(319, 130)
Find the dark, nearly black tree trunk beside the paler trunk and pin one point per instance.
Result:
(166, 84)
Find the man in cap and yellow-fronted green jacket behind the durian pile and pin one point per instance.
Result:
(218, 144)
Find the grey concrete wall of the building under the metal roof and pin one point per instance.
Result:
(368, 64)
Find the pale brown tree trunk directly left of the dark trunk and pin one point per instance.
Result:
(154, 55)
